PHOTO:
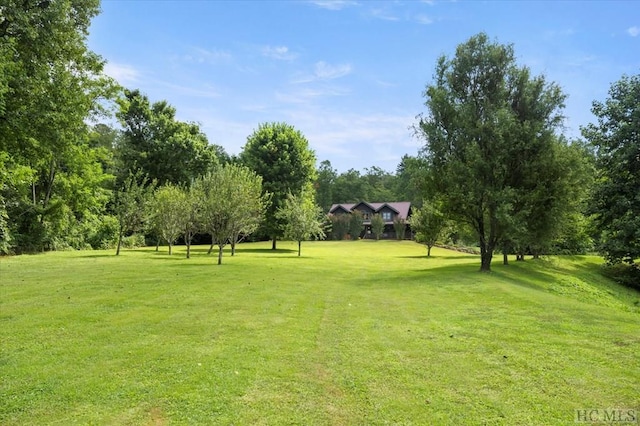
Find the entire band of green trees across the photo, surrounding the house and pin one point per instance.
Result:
(495, 167)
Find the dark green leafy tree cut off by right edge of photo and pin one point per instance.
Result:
(616, 138)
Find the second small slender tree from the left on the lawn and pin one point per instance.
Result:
(169, 209)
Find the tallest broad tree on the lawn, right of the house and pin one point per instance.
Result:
(484, 112)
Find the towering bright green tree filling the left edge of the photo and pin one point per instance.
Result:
(50, 85)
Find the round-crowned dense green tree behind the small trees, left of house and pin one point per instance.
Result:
(281, 155)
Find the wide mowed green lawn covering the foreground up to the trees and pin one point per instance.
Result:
(350, 333)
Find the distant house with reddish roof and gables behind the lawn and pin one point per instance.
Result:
(389, 212)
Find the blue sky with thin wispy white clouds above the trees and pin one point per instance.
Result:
(349, 74)
